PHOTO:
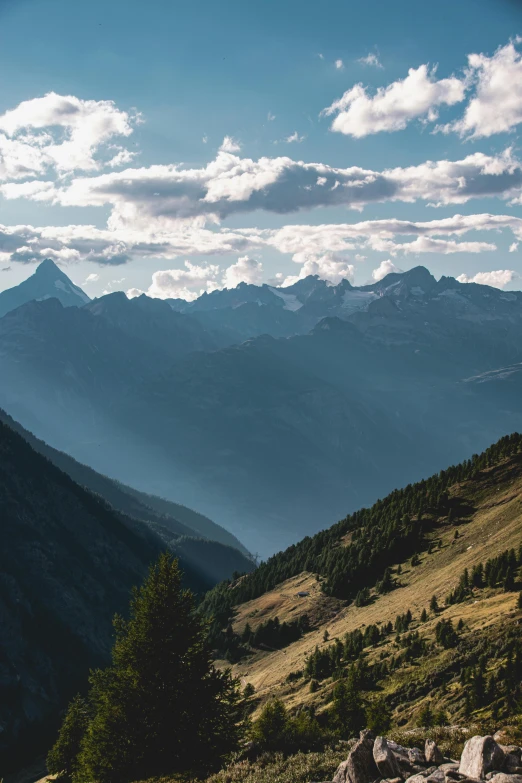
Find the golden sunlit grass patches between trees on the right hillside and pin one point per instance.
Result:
(492, 524)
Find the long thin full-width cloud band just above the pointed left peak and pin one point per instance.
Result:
(110, 247)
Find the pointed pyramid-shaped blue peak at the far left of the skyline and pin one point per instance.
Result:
(48, 282)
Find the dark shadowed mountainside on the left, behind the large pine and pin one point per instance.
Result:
(68, 562)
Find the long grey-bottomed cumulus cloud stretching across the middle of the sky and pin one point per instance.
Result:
(161, 196)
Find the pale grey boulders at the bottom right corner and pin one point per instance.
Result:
(376, 759)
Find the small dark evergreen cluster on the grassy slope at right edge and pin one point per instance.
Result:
(499, 571)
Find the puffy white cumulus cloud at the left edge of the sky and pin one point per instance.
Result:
(60, 132)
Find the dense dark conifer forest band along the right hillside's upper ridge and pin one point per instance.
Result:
(391, 530)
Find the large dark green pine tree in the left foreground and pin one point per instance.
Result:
(161, 707)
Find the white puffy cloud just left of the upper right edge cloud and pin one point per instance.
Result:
(359, 114)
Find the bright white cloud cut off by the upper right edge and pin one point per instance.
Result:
(497, 104)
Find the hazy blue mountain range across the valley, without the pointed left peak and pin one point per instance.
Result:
(270, 410)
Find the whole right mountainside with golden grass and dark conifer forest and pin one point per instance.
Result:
(414, 594)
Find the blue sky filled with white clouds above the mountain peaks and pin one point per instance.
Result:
(178, 147)
